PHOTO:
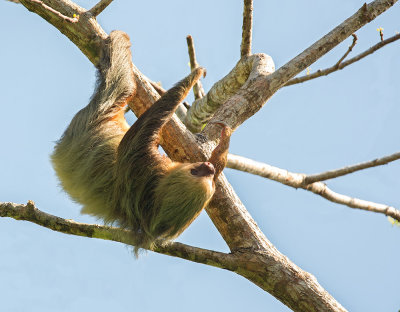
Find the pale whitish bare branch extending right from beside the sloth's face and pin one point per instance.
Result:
(297, 180)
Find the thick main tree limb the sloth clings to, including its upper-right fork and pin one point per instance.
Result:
(264, 266)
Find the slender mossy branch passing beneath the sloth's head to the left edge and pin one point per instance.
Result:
(31, 213)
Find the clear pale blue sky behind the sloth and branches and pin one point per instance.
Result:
(345, 118)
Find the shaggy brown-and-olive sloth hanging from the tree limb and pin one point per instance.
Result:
(117, 173)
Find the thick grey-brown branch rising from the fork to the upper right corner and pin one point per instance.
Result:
(252, 96)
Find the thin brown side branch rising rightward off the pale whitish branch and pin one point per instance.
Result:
(349, 169)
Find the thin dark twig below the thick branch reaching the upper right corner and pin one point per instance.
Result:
(327, 71)
